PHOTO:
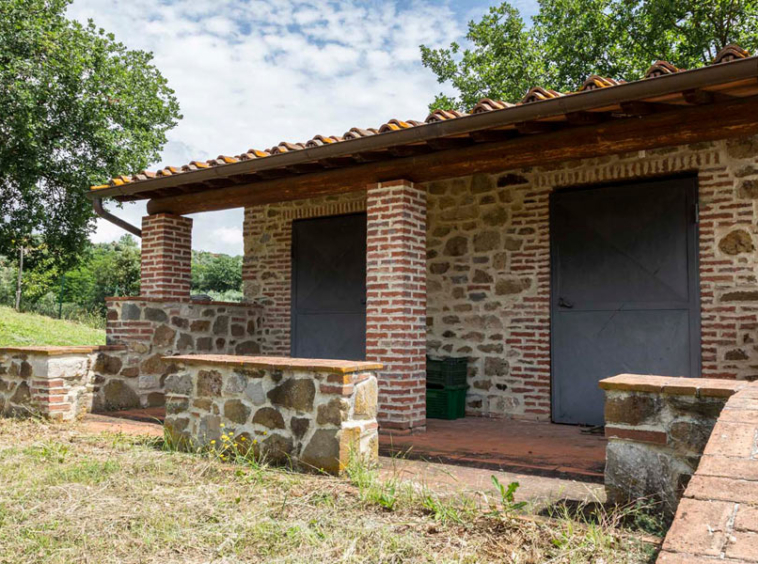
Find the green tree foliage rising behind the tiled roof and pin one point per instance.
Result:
(569, 40)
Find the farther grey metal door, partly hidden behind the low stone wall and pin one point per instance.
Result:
(329, 287)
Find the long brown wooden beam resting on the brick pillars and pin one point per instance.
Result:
(689, 124)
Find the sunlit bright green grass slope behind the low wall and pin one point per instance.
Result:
(20, 329)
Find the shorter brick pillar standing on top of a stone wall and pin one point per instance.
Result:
(166, 256)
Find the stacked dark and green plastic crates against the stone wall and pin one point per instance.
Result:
(446, 388)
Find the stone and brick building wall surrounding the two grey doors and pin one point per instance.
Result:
(488, 266)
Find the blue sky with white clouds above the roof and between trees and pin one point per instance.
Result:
(253, 73)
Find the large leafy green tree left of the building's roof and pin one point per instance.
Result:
(76, 108)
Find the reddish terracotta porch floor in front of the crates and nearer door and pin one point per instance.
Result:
(525, 447)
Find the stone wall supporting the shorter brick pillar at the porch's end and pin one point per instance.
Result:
(152, 329)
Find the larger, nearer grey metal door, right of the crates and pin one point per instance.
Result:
(625, 292)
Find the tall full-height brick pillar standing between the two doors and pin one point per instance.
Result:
(396, 301)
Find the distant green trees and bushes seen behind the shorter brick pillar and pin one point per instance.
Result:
(102, 270)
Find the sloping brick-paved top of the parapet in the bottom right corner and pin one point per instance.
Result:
(717, 519)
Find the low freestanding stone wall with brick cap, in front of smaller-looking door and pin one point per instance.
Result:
(313, 414)
